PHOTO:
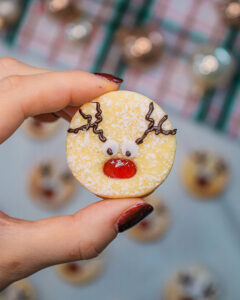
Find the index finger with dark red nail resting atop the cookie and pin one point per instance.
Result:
(24, 96)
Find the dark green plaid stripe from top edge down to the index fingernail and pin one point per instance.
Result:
(119, 11)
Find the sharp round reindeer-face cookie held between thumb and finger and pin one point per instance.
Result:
(121, 145)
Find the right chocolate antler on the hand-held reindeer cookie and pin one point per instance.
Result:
(158, 129)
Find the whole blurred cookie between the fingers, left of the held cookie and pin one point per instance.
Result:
(51, 186)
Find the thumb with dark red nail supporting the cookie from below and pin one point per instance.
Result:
(31, 246)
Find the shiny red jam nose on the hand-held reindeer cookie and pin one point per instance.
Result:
(119, 168)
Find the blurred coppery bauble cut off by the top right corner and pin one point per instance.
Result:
(230, 11)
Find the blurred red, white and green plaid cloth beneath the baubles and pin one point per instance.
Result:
(185, 25)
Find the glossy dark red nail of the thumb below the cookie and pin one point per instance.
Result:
(132, 216)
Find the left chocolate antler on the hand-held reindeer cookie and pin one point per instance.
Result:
(89, 125)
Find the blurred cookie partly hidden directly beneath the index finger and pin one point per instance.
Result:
(40, 130)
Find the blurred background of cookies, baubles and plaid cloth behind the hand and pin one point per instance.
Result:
(185, 55)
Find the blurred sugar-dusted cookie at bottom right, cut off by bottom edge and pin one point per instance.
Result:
(191, 283)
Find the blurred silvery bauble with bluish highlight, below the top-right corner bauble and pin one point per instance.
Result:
(211, 67)
